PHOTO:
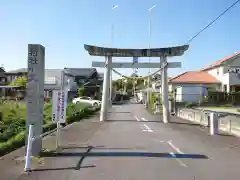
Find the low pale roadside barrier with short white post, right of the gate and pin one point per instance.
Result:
(228, 122)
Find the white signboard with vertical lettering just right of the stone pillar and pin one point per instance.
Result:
(59, 104)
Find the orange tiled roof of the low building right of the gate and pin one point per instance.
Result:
(195, 77)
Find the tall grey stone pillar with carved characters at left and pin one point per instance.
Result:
(35, 92)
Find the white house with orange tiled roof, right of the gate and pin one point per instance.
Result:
(221, 76)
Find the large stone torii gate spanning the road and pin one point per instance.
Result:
(162, 53)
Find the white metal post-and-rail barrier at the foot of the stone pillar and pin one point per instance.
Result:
(31, 139)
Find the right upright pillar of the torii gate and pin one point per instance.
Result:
(164, 88)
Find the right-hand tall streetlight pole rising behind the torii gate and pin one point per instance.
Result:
(149, 46)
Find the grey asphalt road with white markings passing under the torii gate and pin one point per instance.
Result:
(134, 145)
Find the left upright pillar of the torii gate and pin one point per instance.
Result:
(105, 94)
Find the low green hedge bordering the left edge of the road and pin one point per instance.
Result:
(74, 114)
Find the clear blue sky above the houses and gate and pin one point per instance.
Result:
(64, 26)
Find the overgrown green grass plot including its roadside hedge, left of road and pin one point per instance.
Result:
(13, 122)
